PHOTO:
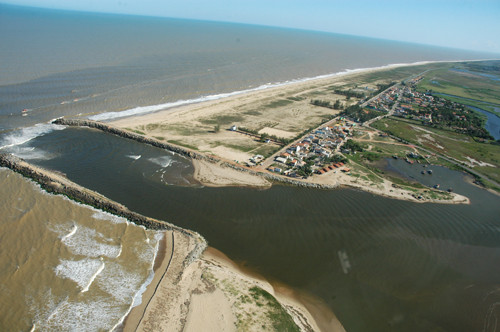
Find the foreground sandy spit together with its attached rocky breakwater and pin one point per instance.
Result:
(194, 288)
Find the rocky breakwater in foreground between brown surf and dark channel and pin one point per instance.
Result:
(58, 184)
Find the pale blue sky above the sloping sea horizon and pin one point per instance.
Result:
(465, 24)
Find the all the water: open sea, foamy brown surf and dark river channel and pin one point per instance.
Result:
(66, 266)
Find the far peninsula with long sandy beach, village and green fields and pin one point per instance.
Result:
(322, 133)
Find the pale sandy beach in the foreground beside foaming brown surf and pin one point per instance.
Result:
(214, 294)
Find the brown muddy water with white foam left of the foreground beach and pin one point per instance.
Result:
(62, 260)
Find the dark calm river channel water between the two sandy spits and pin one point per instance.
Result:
(409, 266)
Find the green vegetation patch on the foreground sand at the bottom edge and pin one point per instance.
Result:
(280, 319)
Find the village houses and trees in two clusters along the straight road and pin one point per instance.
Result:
(323, 150)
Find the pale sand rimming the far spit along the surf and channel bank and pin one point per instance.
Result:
(227, 165)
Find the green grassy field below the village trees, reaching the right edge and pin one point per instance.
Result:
(460, 147)
